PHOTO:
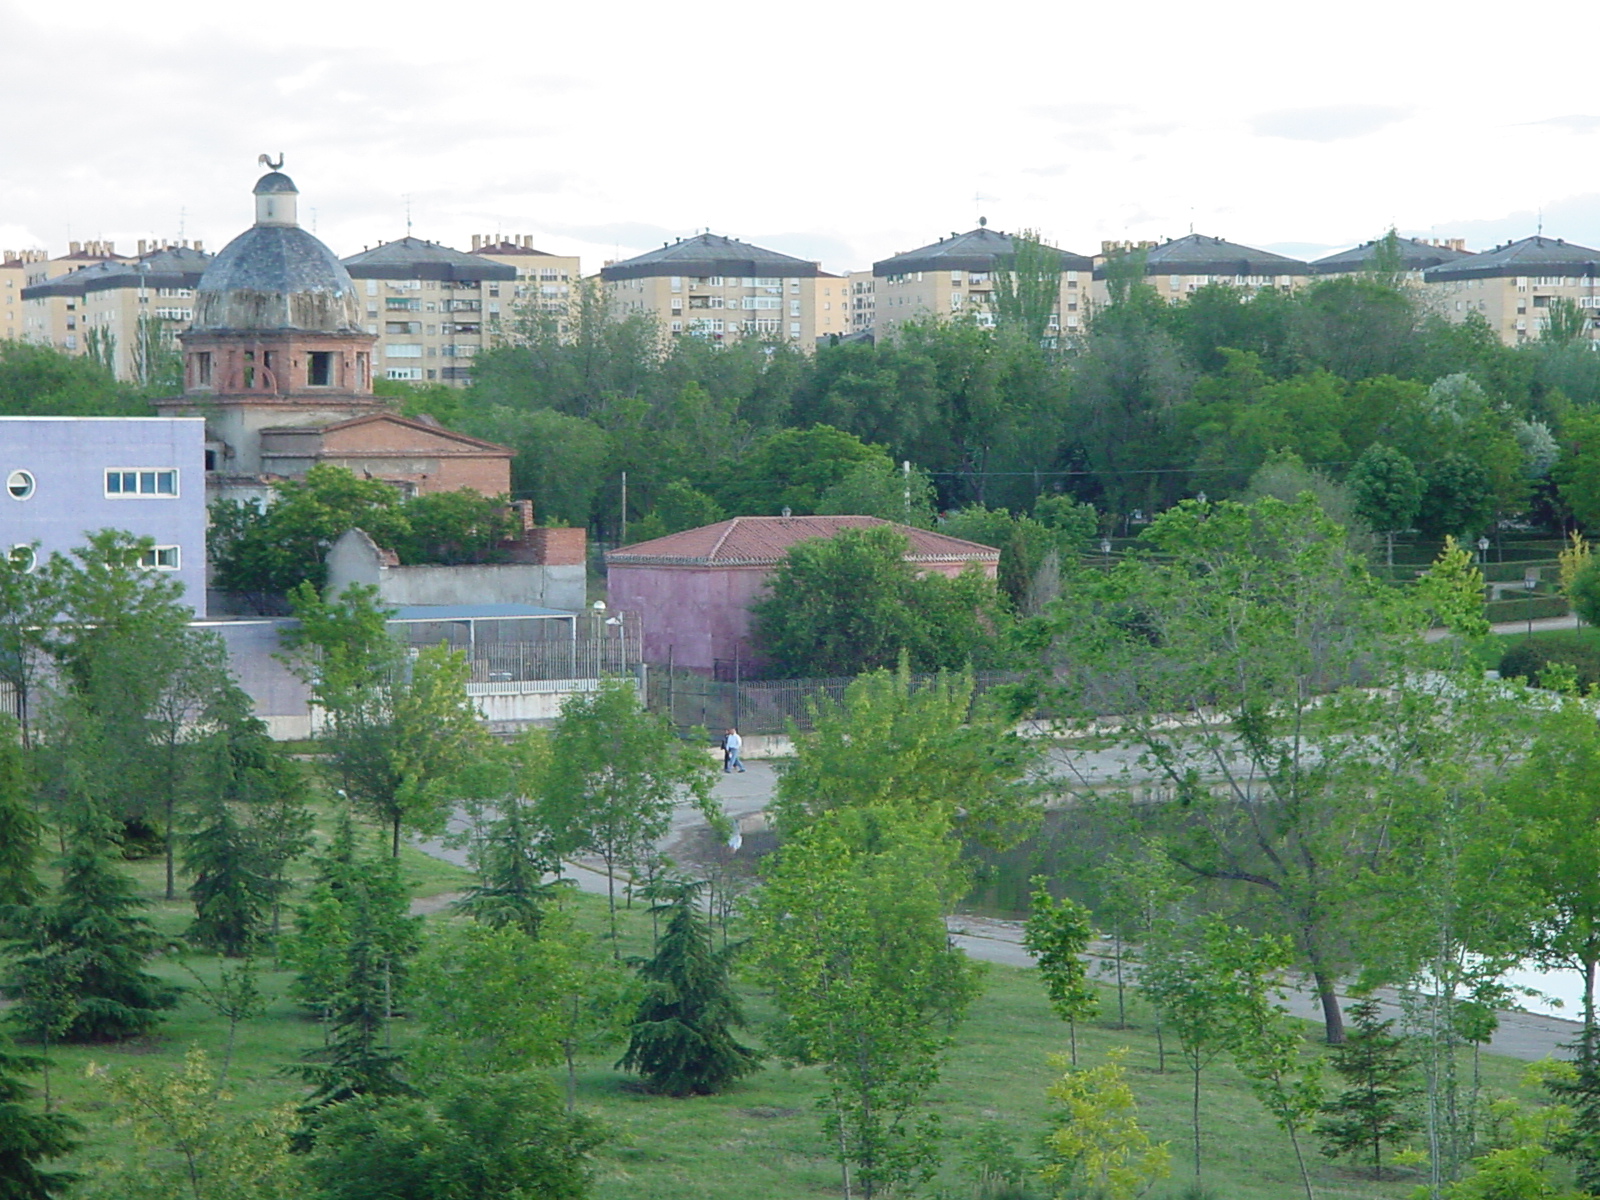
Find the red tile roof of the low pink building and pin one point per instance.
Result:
(764, 542)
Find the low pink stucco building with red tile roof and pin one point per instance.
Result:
(694, 590)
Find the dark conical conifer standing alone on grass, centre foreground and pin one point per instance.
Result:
(679, 1039)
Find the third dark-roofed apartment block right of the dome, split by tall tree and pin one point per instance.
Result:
(954, 278)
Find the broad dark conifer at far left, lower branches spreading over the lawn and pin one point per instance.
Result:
(90, 930)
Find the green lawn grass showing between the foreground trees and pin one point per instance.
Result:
(764, 1137)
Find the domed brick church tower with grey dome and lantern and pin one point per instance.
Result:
(276, 340)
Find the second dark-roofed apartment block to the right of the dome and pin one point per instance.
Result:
(719, 289)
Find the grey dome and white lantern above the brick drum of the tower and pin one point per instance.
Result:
(276, 276)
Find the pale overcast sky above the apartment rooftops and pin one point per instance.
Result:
(842, 134)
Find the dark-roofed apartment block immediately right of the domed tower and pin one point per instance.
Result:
(426, 305)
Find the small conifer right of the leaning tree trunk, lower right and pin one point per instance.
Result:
(1372, 1113)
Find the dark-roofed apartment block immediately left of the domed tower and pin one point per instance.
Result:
(126, 313)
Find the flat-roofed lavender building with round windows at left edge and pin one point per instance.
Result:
(70, 476)
